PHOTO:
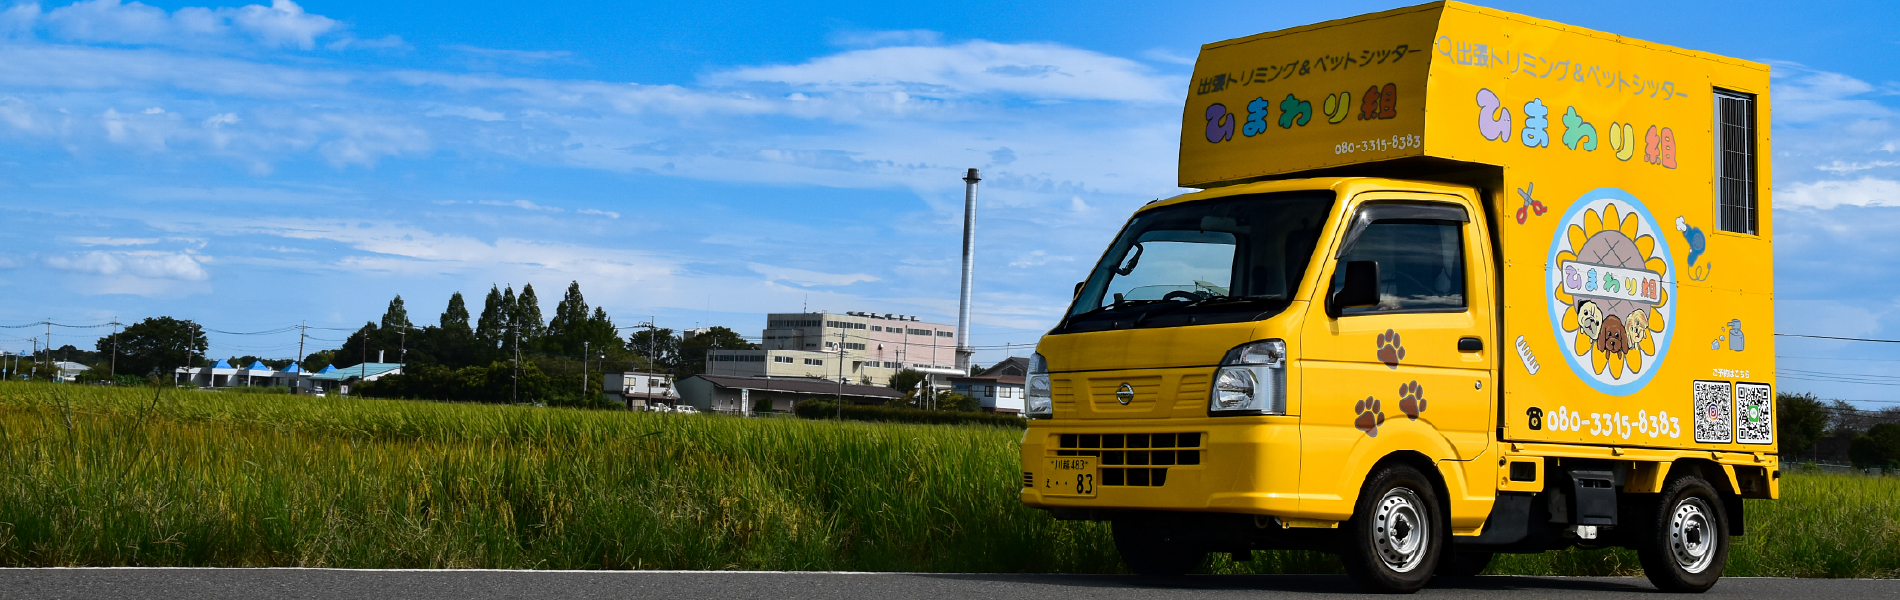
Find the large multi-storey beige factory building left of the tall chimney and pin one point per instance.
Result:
(862, 348)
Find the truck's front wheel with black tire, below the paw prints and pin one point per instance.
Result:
(1397, 533)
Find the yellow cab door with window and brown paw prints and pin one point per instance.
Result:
(1416, 366)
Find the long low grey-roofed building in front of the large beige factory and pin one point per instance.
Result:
(746, 396)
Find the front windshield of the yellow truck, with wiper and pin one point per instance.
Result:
(1217, 261)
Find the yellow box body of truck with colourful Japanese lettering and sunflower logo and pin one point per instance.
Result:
(1616, 143)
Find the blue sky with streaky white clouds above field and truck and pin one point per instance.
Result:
(259, 166)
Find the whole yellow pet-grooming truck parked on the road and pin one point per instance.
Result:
(1458, 282)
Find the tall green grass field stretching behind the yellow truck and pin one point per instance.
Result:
(113, 478)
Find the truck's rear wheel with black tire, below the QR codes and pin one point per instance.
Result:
(1684, 536)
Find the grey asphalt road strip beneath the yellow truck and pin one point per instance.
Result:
(736, 586)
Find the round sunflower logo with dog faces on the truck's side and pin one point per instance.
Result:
(1612, 291)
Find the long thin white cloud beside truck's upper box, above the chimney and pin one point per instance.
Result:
(1040, 71)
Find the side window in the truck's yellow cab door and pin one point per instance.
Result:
(1422, 265)
